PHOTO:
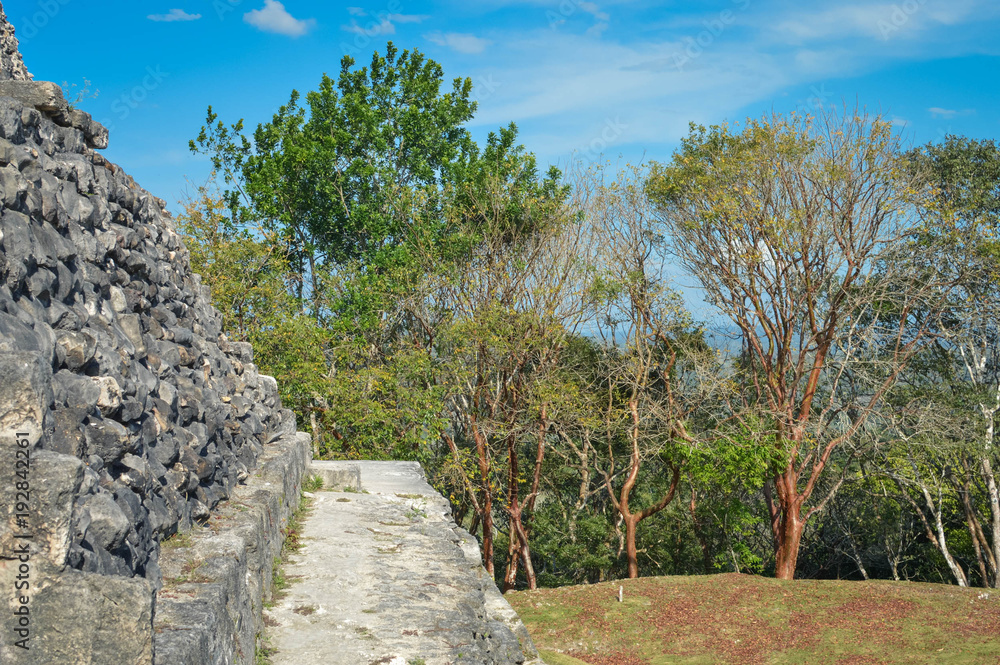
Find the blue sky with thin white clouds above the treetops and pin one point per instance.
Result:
(580, 78)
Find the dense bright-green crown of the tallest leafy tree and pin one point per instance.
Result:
(345, 175)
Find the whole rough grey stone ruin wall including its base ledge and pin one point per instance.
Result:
(127, 417)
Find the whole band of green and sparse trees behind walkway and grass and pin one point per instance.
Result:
(423, 297)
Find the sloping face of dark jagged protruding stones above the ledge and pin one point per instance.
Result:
(146, 390)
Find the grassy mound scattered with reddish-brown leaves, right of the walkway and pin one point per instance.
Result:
(747, 620)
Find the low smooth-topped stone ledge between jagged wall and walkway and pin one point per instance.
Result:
(210, 609)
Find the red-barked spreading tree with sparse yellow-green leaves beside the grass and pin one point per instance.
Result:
(796, 227)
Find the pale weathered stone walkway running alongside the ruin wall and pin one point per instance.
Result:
(384, 577)
